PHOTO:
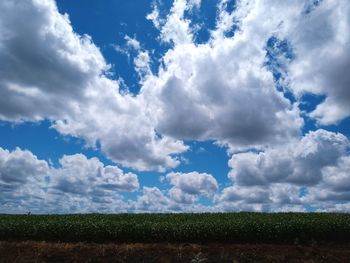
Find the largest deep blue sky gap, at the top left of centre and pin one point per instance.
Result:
(108, 22)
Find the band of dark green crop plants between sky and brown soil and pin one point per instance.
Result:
(281, 228)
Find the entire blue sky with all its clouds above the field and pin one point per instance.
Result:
(174, 106)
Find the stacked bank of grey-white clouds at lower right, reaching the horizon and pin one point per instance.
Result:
(310, 172)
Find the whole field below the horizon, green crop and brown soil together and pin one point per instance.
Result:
(225, 237)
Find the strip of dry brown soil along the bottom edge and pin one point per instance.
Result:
(30, 251)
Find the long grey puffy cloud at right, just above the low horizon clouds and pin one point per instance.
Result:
(299, 162)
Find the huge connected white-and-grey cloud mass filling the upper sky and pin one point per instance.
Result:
(220, 90)
